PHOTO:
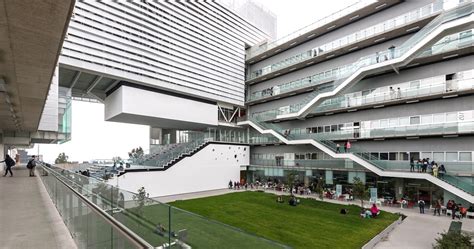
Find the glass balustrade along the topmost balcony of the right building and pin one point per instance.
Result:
(348, 40)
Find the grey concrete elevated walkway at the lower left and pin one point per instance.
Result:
(28, 218)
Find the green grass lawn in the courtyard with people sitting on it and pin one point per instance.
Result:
(312, 224)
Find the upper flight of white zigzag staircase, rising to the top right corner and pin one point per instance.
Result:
(449, 22)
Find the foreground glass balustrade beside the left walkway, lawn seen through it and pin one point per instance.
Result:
(160, 225)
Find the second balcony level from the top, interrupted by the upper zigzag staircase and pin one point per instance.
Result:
(459, 43)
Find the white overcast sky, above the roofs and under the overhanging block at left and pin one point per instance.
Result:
(94, 138)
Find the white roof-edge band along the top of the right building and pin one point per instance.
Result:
(343, 17)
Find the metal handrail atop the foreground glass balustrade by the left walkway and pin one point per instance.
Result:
(133, 237)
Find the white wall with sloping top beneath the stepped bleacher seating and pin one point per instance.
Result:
(209, 169)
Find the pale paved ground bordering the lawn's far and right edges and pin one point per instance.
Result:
(417, 231)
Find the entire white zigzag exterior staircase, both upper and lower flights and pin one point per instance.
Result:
(439, 27)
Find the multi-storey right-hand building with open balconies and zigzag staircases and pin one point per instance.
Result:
(392, 78)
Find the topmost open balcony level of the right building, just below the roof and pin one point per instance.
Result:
(387, 30)
